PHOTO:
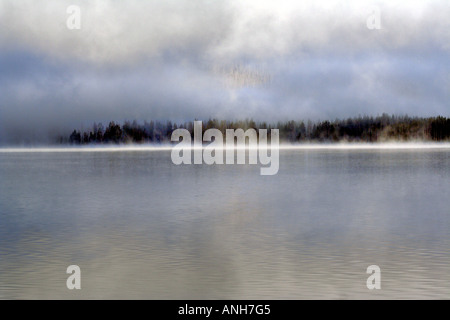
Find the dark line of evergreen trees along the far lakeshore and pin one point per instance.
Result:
(382, 128)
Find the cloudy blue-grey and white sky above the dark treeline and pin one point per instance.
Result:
(186, 59)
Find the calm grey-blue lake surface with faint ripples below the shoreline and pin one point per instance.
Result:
(140, 227)
